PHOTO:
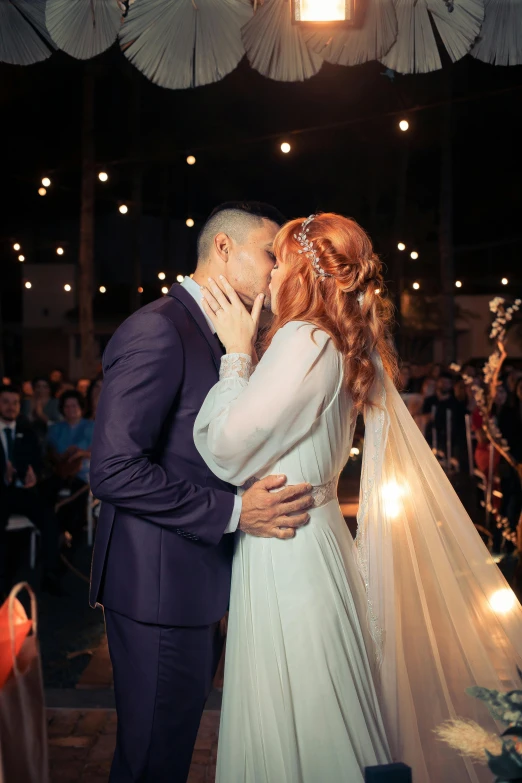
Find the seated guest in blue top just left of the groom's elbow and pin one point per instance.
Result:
(69, 450)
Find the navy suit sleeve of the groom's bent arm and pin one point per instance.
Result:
(143, 369)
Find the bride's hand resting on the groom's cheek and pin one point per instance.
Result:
(235, 326)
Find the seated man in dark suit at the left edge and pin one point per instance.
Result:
(20, 467)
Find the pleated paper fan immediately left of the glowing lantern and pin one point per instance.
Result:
(277, 48)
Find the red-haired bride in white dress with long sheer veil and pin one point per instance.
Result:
(343, 654)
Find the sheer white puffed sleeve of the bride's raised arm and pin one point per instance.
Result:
(248, 421)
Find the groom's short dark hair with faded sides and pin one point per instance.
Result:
(235, 218)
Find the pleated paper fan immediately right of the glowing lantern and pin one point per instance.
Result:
(354, 45)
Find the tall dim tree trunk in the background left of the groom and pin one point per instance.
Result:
(86, 254)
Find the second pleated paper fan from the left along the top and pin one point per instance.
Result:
(83, 28)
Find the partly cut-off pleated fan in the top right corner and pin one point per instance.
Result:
(500, 41)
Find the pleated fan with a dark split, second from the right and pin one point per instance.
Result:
(415, 50)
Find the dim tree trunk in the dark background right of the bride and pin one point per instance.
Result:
(446, 251)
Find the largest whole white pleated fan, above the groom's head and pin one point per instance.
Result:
(185, 43)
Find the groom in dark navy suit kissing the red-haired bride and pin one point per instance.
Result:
(163, 553)
